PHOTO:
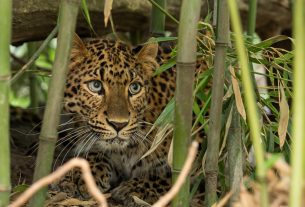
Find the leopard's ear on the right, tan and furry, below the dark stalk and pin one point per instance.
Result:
(147, 58)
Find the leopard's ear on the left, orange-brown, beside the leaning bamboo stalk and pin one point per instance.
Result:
(78, 50)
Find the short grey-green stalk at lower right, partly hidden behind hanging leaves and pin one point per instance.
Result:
(234, 144)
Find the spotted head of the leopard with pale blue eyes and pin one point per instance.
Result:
(107, 86)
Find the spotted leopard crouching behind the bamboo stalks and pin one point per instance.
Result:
(115, 97)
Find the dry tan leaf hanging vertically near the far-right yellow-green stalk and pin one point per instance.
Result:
(284, 116)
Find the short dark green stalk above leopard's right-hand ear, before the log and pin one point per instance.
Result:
(157, 23)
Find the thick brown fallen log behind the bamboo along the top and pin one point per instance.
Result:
(34, 19)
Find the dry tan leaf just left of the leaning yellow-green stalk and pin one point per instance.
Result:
(239, 102)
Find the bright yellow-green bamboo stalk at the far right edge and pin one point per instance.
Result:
(298, 124)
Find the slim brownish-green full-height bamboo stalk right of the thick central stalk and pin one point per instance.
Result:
(222, 41)
